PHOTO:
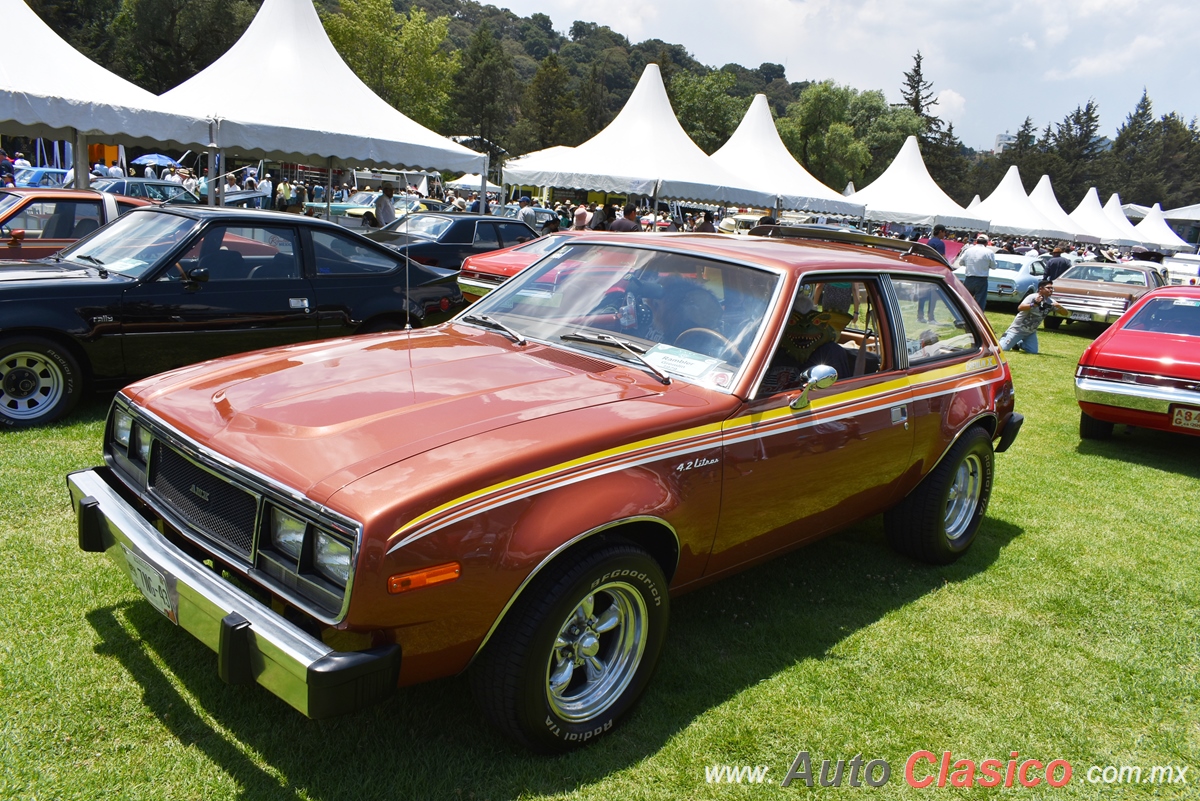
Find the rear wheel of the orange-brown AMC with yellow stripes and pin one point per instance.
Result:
(938, 521)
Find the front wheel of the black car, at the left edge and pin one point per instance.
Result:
(40, 382)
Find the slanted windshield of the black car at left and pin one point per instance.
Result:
(133, 244)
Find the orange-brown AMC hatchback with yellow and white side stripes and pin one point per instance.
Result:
(521, 491)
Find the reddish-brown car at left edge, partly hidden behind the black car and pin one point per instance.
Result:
(40, 222)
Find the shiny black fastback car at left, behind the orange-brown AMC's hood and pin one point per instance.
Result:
(171, 286)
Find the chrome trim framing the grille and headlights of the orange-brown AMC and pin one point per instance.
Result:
(266, 490)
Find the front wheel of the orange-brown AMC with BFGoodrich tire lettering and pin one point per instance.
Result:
(544, 631)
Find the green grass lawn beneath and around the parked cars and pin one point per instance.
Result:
(1069, 633)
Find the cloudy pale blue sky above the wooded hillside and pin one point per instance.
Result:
(993, 63)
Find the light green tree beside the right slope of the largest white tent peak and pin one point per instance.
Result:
(401, 58)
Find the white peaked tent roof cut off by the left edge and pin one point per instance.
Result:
(49, 88)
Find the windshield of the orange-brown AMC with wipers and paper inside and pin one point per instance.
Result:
(692, 318)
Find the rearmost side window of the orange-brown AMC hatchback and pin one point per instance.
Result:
(935, 326)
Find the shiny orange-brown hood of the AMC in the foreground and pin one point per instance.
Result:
(322, 415)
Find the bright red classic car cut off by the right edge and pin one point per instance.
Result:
(1145, 370)
